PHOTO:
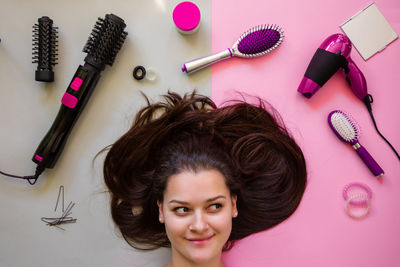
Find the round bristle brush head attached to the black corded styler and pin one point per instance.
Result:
(105, 41)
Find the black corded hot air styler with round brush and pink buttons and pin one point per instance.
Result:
(102, 47)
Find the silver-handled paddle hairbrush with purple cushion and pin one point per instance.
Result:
(255, 42)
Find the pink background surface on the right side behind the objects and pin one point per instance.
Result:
(319, 233)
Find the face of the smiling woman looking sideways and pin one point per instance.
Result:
(197, 210)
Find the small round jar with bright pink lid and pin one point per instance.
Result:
(186, 17)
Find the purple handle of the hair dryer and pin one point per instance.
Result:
(356, 79)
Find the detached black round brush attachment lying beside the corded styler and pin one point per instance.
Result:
(45, 45)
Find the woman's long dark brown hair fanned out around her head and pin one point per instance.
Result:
(261, 163)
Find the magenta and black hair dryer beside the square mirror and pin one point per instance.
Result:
(332, 54)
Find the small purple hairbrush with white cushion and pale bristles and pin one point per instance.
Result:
(347, 131)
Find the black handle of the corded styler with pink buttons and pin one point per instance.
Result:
(73, 102)
